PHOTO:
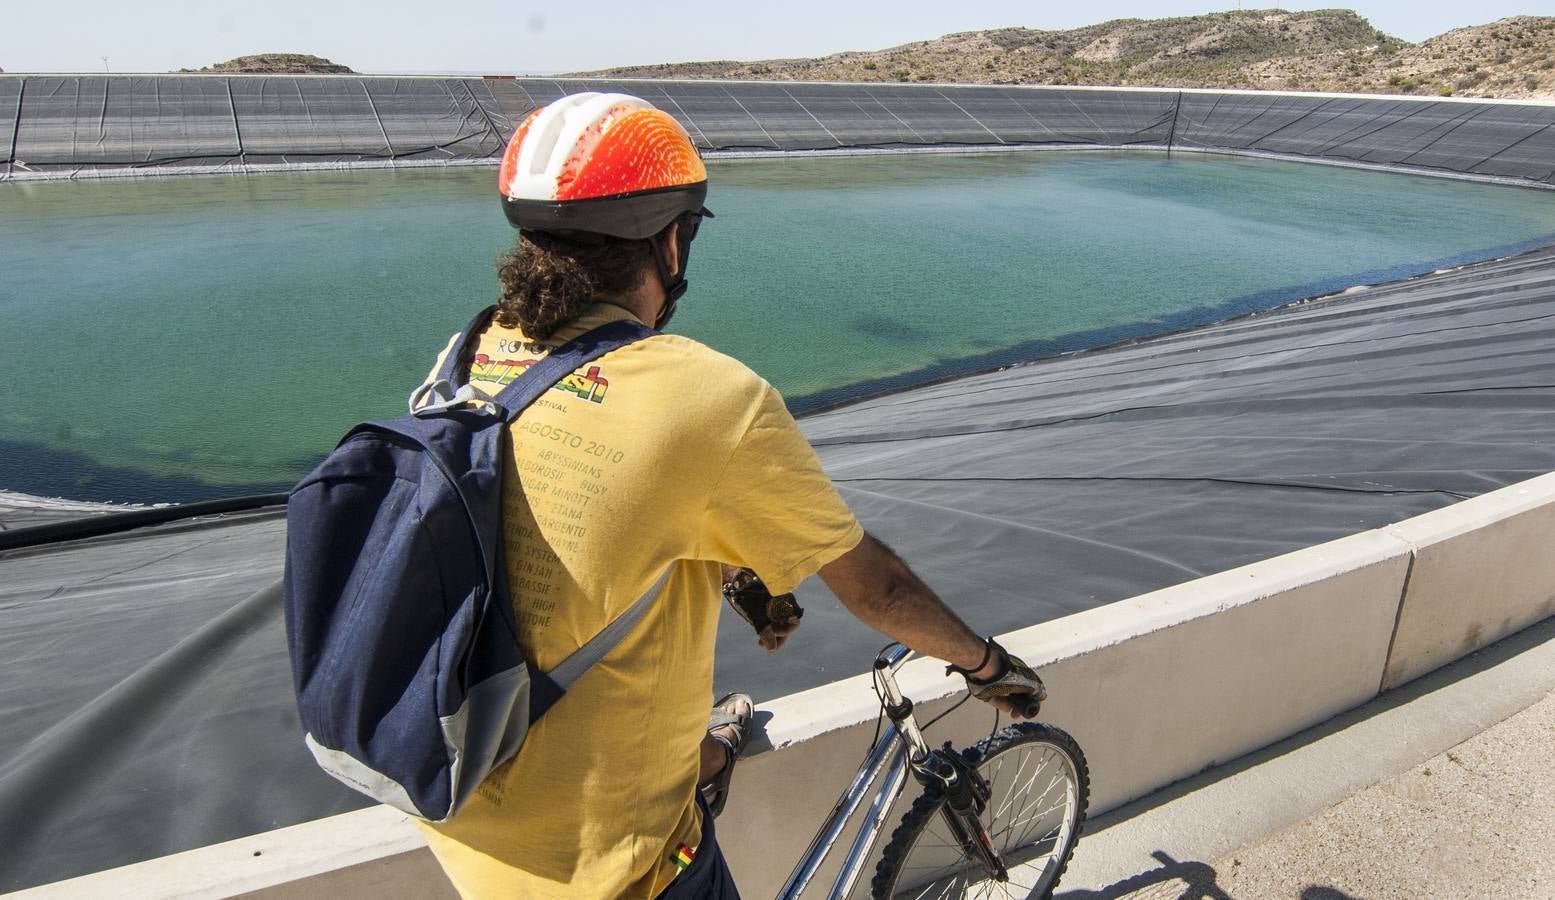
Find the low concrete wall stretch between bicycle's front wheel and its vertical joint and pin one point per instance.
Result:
(1206, 672)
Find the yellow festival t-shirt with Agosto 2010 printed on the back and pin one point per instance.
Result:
(663, 455)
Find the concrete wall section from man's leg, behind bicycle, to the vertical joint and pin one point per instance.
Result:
(1155, 689)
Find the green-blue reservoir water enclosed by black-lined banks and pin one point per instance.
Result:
(175, 340)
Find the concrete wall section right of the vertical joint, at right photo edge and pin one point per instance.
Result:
(1481, 573)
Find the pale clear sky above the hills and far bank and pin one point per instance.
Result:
(525, 37)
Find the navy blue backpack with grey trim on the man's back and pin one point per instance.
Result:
(405, 654)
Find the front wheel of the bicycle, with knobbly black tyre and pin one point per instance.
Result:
(1040, 787)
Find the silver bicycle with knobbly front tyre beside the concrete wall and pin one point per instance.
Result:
(960, 837)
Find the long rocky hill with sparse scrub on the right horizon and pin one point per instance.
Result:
(1263, 49)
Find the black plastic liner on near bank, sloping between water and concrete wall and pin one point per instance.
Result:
(144, 680)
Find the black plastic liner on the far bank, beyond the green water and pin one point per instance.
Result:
(80, 125)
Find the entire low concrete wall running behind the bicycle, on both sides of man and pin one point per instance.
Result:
(1156, 689)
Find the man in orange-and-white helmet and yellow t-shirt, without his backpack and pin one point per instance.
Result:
(660, 459)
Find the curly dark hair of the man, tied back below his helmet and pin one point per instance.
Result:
(548, 279)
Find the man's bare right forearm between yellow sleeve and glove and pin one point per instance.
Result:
(878, 587)
